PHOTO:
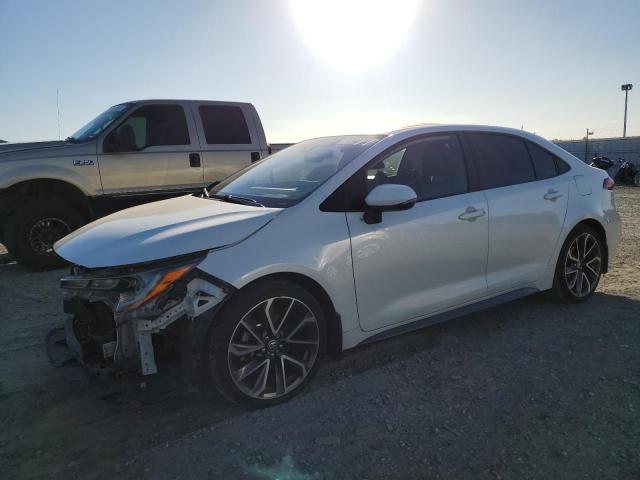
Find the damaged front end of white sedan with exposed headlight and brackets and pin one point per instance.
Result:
(116, 312)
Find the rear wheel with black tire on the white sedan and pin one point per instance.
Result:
(579, 266)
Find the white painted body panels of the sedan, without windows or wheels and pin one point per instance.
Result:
(417, 262)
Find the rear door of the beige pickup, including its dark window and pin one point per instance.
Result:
(229, 138)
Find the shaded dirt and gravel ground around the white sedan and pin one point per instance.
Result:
(530, 389)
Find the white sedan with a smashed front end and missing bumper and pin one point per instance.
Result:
(332, 243)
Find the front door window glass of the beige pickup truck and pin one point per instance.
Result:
(159, 125)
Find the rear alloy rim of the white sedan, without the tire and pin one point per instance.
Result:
(582, 265)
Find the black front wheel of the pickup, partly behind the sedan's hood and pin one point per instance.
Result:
(33, 229)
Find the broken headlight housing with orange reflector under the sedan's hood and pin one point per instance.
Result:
(147, 289)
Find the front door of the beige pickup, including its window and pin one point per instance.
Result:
(163, 154)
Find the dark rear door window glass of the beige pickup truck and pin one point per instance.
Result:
(224, 125)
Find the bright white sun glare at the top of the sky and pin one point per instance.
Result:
(352, 35)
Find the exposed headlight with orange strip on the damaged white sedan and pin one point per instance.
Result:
(144, 290)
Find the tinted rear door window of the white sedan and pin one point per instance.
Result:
(502, 160)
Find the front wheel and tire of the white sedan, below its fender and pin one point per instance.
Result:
(266, 344)
